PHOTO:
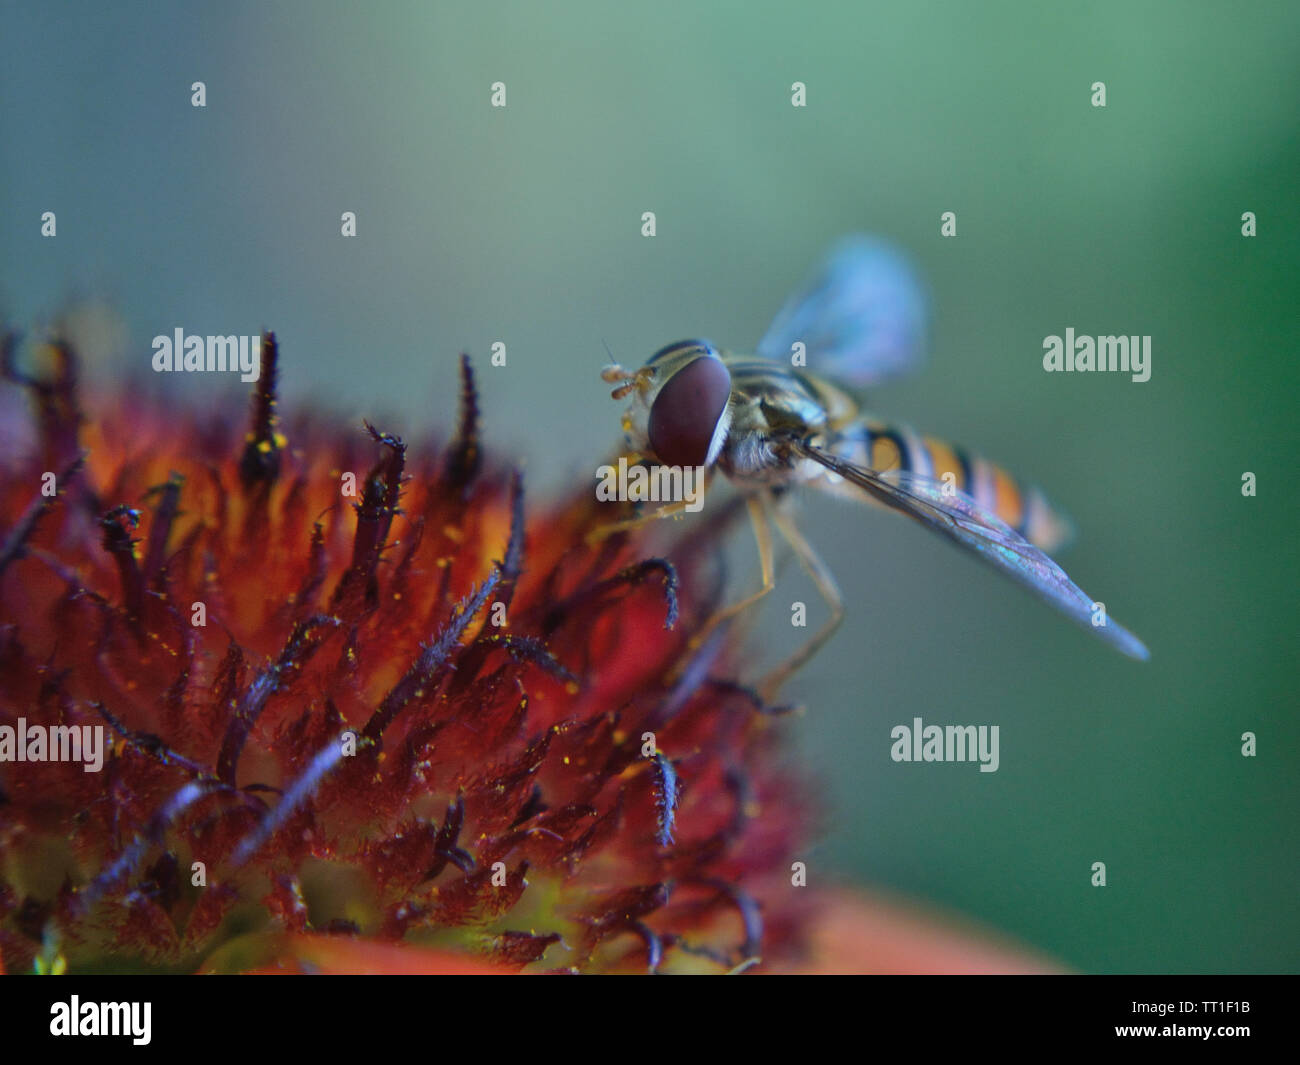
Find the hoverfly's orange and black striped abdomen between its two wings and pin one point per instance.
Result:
(882, 448)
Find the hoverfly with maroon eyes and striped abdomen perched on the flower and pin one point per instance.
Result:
(768, 426)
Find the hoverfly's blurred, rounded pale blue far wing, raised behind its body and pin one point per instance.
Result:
(861, 317)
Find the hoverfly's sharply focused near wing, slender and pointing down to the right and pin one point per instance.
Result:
(957, 517)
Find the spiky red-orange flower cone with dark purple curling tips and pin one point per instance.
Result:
(362, 690)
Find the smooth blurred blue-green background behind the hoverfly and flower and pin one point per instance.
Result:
(523, 226)
